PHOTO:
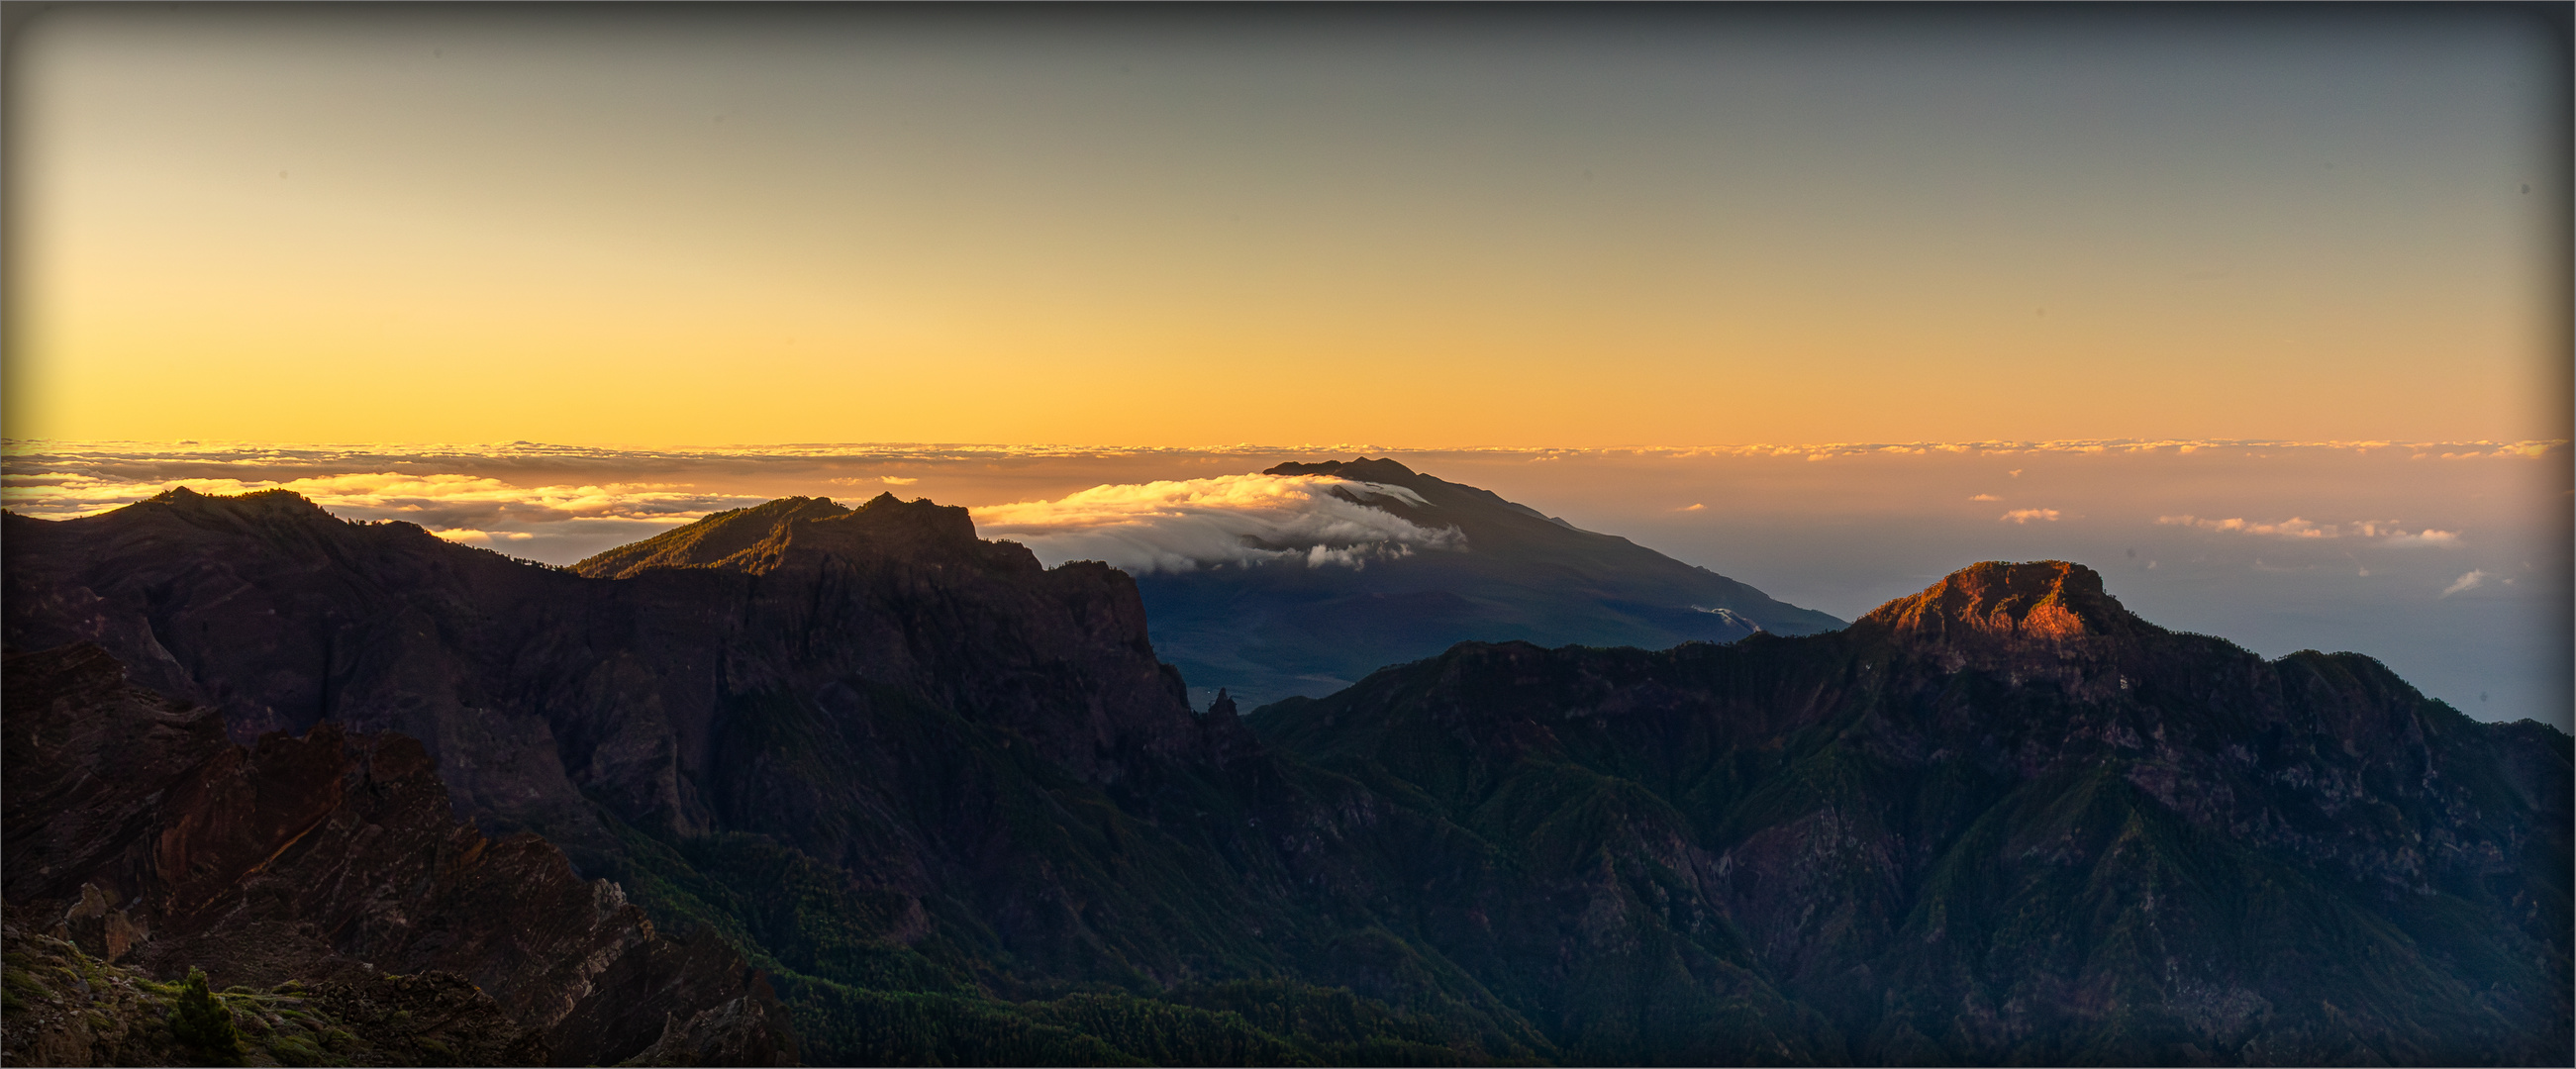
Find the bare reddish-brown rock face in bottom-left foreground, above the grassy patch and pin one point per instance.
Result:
(334, 859)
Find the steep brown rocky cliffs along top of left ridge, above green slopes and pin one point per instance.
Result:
(537, 689)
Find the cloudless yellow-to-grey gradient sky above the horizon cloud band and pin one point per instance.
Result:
(1431, 228)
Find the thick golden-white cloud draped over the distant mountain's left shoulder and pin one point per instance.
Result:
(1181, 527)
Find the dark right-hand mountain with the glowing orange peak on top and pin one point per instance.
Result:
(2000, 820)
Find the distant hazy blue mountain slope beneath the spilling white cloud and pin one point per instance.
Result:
(1289, 630)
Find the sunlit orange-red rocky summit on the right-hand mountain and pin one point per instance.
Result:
(1995, 601)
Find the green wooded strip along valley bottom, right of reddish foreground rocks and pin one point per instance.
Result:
(862, 996)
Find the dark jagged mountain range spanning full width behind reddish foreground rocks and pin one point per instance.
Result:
(960, 813)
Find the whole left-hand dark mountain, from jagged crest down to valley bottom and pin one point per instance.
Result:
(864, 746)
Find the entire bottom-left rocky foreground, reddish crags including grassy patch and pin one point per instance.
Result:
(326, 885)
